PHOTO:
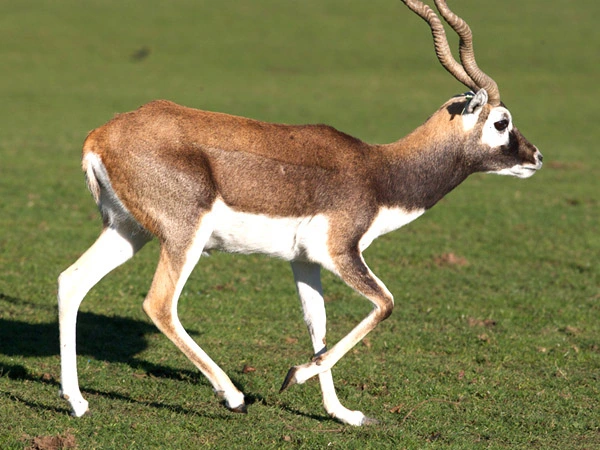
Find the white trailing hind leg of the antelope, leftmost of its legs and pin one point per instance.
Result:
(112, 248)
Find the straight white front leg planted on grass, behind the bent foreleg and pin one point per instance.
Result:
(308, 283)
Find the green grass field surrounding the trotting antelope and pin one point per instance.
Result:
(495, 340)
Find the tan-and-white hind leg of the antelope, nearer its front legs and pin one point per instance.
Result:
(174, 267)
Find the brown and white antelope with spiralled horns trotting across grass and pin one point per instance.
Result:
(200, 181)
